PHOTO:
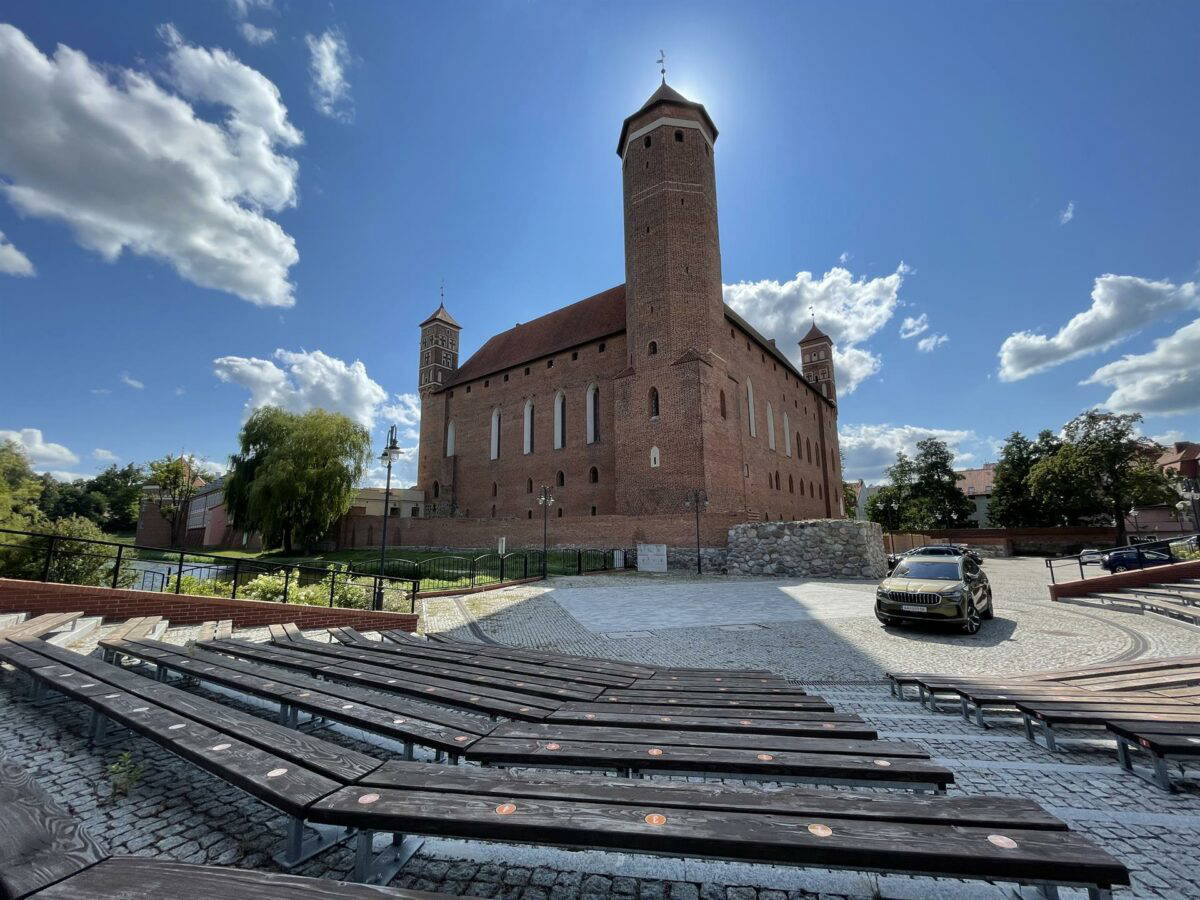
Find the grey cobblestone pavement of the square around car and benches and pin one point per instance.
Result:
(175, 811)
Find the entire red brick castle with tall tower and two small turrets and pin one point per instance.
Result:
(627, 401)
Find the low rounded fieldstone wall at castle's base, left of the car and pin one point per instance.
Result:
(821, 548)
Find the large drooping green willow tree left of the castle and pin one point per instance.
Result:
(296, 475)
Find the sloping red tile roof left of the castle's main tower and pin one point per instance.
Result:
(590, 320)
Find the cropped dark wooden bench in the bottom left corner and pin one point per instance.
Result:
(49, 855)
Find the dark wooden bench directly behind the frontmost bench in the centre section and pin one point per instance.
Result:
(878, 770)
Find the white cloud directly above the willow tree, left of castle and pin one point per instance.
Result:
(307, 381)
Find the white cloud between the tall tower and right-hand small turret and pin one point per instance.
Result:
(849, 310)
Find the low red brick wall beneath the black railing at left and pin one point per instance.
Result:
(37, 598)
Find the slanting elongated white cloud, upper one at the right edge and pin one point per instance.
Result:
(1121, 304)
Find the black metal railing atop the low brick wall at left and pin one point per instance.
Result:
(87, 561)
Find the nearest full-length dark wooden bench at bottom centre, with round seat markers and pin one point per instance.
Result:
(991, 839)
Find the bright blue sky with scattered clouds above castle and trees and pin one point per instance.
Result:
(215, 205)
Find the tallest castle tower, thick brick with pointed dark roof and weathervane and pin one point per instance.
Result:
(674, 307)
